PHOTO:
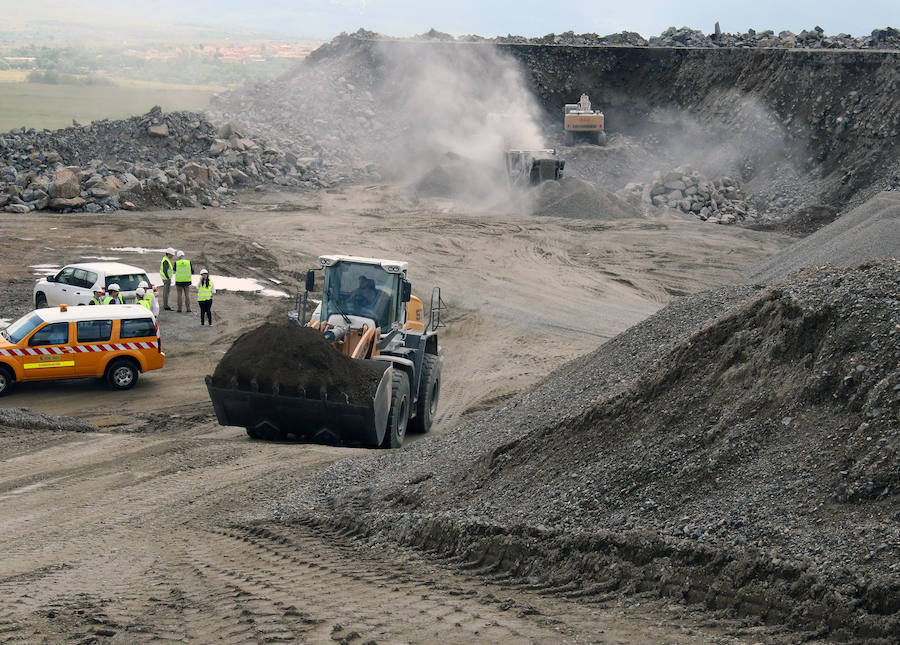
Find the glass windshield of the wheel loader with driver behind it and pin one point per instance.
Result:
(361, 290)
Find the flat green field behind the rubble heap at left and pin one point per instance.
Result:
(40, 105)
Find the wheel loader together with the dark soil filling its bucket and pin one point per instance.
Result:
(379, 374)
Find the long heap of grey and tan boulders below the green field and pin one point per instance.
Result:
(156, 160)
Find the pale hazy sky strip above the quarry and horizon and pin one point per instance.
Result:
(323, 19)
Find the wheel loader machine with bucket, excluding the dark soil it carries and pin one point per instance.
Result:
(368, 314)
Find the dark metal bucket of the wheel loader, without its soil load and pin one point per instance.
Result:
(323, 420)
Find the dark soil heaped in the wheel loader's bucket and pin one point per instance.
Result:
(293, 360)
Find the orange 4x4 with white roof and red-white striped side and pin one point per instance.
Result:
(114, 342)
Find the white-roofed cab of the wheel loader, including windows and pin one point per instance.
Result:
(364, 287)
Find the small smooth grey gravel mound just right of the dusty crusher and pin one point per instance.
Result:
(576, 198)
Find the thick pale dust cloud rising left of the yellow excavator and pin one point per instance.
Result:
(458, 109)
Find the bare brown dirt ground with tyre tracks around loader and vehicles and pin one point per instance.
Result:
(148, 529)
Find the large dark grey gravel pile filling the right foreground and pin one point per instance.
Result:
(748, 461)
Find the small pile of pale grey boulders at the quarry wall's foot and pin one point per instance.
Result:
(719, 200)
